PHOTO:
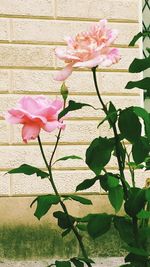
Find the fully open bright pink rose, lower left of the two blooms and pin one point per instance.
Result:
(36, 113)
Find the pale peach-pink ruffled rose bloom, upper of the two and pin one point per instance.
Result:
(88, 49)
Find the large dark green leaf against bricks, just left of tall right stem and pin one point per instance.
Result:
(98, 154)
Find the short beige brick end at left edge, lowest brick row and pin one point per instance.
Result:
(4, 184)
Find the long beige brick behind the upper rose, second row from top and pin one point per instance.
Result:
(55, 31)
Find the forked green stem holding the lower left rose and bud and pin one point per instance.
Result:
(49, 168)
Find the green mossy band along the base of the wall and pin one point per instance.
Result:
(39, 242)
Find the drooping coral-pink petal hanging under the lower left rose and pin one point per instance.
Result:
(30, 132)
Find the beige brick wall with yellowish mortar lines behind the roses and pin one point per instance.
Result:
(29, 32)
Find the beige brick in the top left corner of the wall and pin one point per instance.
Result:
(27, 7)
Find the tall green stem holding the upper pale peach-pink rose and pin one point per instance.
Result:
(117, 141)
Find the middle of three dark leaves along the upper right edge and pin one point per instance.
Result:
(139, 65)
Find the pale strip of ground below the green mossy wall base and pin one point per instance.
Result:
(101, 262)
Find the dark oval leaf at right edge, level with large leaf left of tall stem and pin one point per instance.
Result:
(140, 150)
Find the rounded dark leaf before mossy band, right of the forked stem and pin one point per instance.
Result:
(99, 224)
